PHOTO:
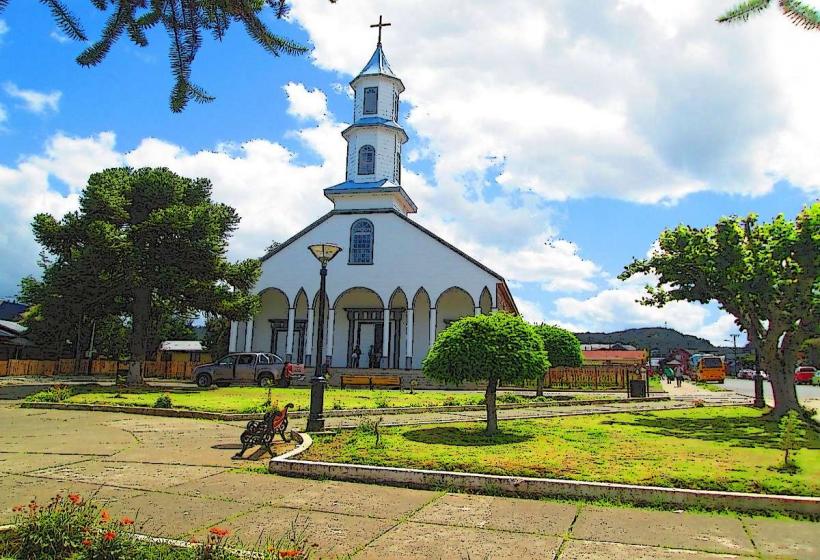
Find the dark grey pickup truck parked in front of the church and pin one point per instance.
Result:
(242, 368)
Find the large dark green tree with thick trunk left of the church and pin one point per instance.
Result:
(147, 244)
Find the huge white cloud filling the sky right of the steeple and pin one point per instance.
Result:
(638, 100)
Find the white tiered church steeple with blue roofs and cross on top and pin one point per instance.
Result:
(375, 139)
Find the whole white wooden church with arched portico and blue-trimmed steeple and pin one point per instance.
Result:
(394, 285)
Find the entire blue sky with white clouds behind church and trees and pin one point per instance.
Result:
(553, 140)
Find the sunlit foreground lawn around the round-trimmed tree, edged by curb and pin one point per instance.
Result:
(719, 448)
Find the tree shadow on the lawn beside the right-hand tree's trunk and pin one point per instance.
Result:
(734, 431)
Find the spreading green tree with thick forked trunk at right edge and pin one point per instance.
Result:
(765, 274)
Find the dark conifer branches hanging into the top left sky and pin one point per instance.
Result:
(185, 22)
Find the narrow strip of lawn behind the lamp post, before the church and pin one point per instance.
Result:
(251, 399)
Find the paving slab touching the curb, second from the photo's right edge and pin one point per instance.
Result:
(694, 531)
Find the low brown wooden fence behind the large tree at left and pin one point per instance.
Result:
(50, 368)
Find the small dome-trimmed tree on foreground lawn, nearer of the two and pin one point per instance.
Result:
(496, 348)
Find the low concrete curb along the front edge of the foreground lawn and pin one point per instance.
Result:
(543, 487)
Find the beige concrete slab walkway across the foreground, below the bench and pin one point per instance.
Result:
(177, 478)
